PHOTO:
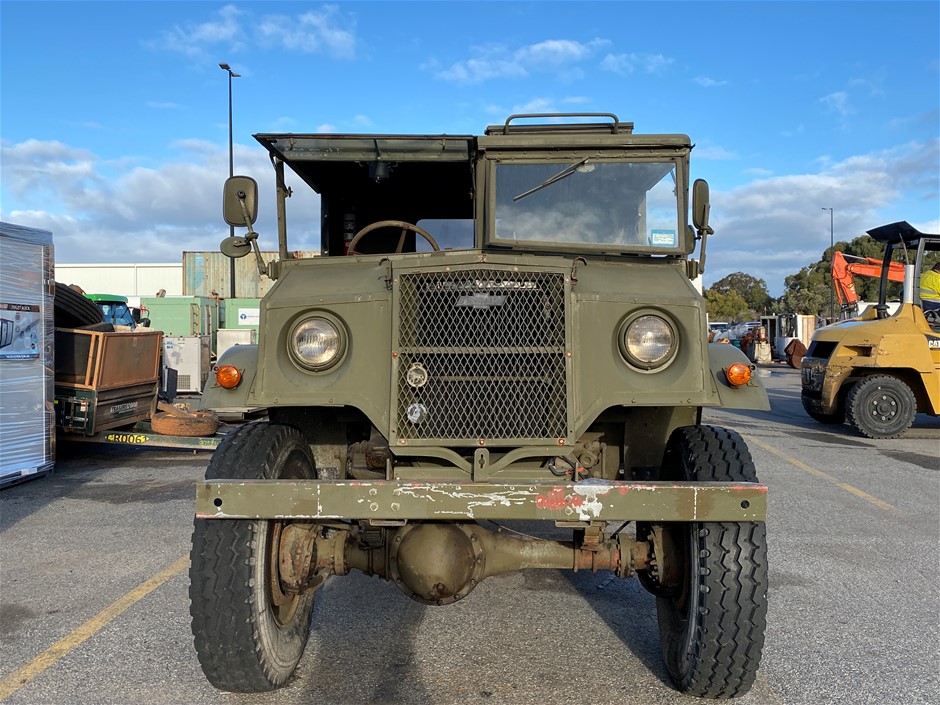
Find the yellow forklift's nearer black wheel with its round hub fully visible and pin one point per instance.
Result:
(880, 407)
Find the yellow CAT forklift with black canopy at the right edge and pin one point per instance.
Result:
(877, 371)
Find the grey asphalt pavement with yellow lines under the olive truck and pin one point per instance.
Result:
(94, 605)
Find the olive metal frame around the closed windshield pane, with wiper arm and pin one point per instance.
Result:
(563, 160)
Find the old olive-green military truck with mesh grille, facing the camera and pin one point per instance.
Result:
(499, 328)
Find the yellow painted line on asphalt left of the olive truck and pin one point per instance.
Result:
(30, 671)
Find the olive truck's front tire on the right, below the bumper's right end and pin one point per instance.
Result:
(713, 610)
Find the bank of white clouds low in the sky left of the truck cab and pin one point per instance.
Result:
(142, 214)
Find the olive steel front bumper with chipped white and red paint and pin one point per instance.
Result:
(401, 501)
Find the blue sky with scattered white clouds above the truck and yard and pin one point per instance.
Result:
(114, 115)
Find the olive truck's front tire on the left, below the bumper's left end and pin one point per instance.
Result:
(249, 635)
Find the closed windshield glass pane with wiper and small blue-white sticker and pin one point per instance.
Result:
(588, 202)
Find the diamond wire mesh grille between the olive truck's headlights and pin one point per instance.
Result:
(482, 356)
